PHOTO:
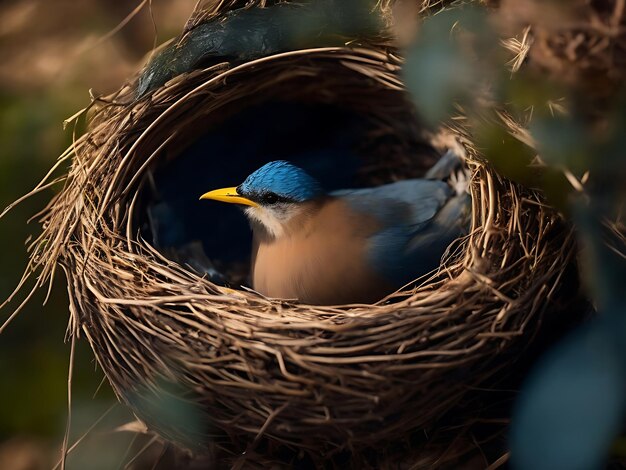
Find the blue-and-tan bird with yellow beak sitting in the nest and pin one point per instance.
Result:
(349, 246)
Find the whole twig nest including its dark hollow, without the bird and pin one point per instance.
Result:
(154, 277)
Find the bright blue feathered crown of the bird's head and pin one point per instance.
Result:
(280, 181)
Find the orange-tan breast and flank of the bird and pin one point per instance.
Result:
(321, 260)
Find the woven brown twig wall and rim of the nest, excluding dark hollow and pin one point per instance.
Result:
(316, 379)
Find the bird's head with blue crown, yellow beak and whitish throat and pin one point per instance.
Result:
(273, 195)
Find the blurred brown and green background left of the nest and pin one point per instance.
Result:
(53, 53)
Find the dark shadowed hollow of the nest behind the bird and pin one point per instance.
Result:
(342, 137)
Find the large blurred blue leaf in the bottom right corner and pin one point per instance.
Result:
(573, 404)
